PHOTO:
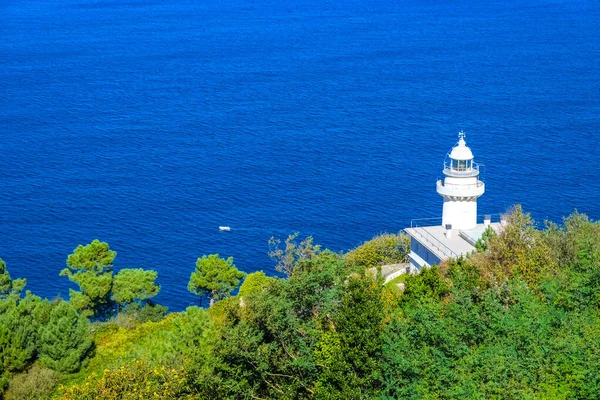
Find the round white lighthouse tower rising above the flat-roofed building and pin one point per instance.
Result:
(460, 187)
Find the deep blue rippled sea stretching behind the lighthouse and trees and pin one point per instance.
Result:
(148, 124)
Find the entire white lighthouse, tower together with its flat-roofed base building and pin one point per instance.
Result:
(459, 229)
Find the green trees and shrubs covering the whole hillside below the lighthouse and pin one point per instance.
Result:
(519, 319)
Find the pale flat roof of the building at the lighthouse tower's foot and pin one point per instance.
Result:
(461, 241)
